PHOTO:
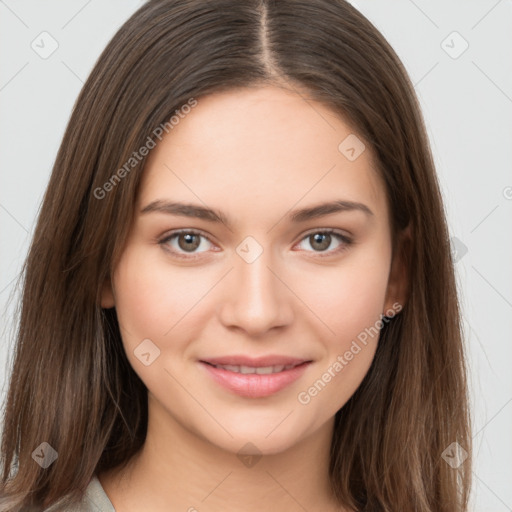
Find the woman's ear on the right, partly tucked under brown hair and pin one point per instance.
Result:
(398, 285)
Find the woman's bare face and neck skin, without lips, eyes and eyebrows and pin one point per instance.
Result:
(254, 154)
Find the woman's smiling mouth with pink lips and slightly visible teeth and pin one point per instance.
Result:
(255, 378)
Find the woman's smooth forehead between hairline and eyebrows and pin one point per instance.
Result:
(253, 149)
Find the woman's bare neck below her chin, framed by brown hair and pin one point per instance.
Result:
(178, 470)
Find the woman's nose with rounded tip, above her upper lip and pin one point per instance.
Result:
(256, 297)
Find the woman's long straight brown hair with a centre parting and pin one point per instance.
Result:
(72, 386)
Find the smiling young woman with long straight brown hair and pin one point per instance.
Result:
(240, 293)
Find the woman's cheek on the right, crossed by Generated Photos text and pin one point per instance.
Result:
(349, 301)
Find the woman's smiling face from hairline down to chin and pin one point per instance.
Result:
(215, 297)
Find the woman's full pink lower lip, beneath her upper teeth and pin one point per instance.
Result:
(254, 385)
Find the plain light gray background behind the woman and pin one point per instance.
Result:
(467, 104)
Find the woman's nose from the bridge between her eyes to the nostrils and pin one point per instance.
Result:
(256, 299)
